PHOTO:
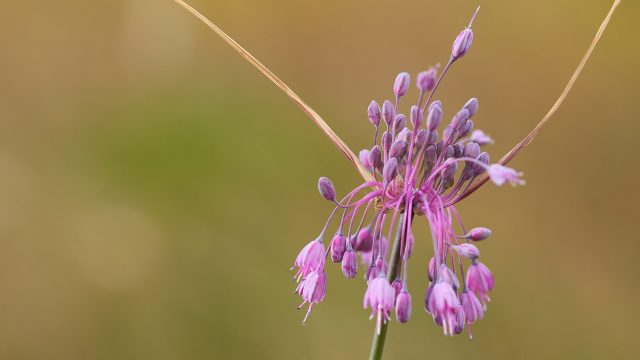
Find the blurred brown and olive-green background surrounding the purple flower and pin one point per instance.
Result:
(155, 189)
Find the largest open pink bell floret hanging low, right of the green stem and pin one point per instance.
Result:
(444, 306)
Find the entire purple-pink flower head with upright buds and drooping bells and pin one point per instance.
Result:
(417, 171)
